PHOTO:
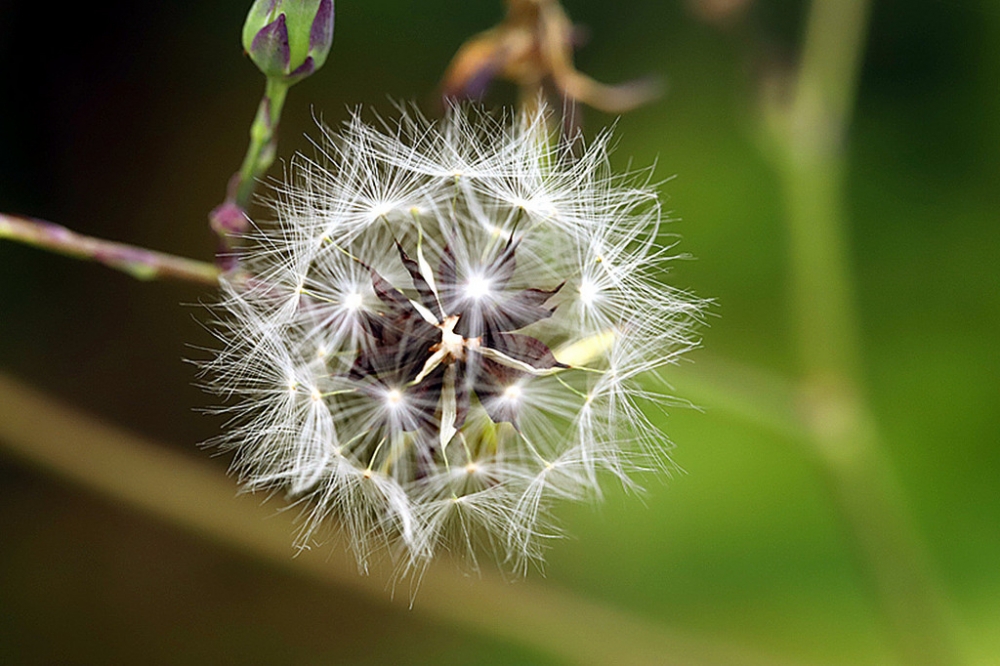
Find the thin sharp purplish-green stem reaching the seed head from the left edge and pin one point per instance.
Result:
(138, 262)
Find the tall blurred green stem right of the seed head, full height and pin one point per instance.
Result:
(808, 136)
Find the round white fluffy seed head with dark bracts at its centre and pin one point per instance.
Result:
(449, 325)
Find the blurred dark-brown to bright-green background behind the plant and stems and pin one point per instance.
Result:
(123, 120)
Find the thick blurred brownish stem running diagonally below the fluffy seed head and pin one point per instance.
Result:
(193, 496)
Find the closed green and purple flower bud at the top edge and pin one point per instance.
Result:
(289, 39)
